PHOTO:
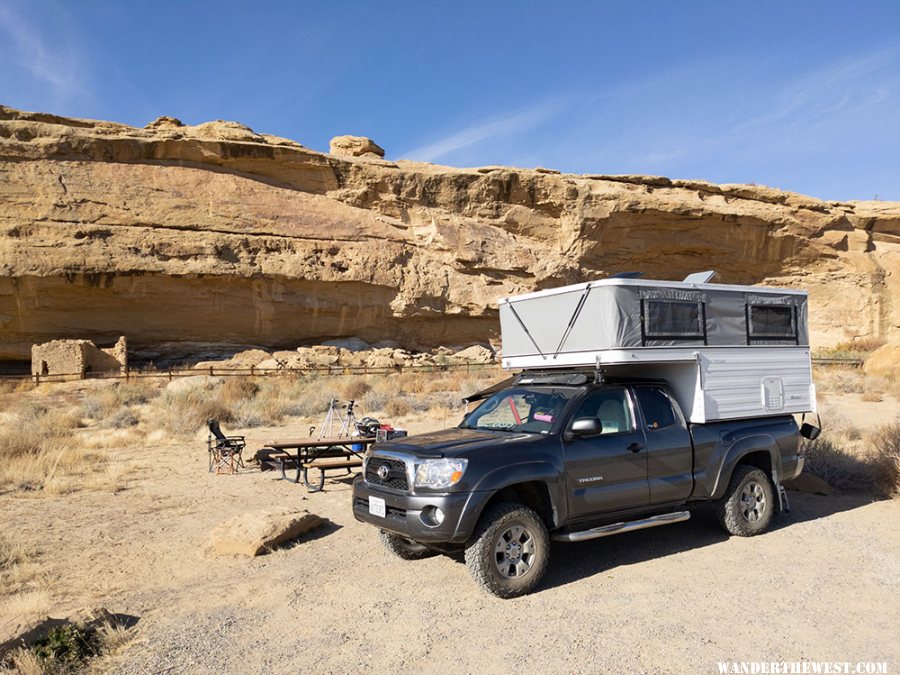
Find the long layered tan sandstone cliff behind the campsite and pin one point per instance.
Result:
(217, 234)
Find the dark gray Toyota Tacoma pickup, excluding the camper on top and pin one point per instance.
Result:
(568, 456)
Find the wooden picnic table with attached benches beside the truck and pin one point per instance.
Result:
(322, 454)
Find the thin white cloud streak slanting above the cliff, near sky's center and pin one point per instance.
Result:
(506, 124)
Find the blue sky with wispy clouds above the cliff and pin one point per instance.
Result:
(803, 96)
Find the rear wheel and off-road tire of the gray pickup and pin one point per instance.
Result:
(748, 506)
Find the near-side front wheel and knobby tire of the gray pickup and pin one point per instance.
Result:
(488, 550)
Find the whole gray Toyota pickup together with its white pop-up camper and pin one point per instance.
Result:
(634, 401)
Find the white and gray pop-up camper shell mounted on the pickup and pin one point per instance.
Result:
(727, 352)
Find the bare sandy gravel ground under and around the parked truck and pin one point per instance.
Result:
(822, 586)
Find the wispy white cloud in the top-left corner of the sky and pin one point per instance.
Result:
(57, 67)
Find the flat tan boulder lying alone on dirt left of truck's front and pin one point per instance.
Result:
(258, 532)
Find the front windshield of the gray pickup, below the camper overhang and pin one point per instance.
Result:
(522, 409)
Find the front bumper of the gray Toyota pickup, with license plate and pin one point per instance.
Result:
(404, 513)
